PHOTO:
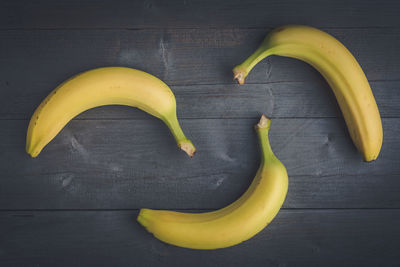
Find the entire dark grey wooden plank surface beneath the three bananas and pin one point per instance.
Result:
(76, 204)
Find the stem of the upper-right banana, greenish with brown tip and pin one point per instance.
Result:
(241, 71)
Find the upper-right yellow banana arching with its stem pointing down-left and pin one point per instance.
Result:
(340, 69)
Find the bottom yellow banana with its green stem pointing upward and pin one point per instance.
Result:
(235, 223)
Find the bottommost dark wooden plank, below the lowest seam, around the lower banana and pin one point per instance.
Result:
(114, 238)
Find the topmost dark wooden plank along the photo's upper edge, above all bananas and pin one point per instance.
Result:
(196, 13)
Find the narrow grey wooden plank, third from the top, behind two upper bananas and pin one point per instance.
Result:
(311, 99)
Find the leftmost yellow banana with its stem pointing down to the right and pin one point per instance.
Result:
(99, 87)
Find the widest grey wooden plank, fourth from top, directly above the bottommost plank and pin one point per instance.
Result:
(135, 163)
